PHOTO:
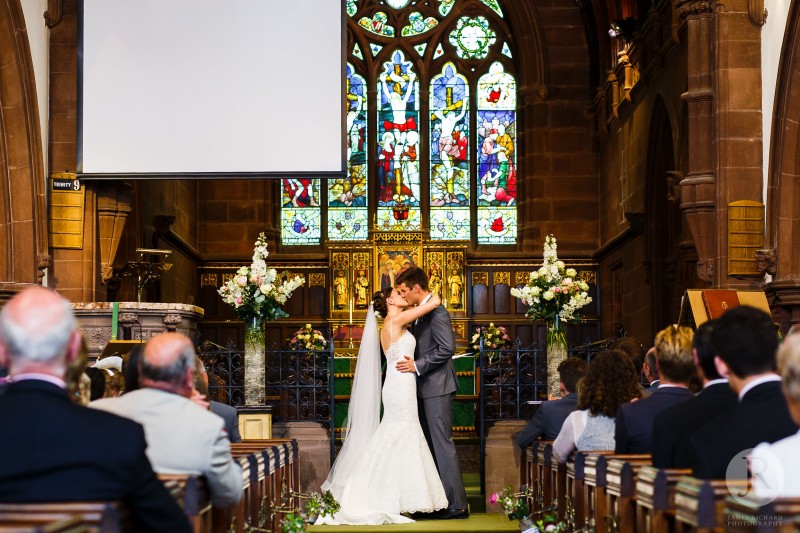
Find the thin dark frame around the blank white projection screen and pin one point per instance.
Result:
(208, 175)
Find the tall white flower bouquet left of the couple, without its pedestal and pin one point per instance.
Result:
(258, 292)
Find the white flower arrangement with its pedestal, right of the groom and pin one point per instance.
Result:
(553, 294)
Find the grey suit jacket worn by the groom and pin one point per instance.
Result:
(436, 345)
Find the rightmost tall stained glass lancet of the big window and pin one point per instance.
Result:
(497, 169)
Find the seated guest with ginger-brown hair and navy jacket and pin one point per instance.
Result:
(675, 367)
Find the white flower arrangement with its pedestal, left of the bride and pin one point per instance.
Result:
(256, 294)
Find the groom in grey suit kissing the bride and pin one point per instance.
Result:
(436, 386)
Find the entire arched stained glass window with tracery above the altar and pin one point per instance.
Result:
(431, 119)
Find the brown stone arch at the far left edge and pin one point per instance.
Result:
(23, 231)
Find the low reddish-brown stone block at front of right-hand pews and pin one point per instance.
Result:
(503, 459)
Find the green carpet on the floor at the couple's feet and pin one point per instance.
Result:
(478, 521)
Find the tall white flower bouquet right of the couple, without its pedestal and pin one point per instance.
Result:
(553, 290)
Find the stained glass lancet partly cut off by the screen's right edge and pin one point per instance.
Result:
(347, 198)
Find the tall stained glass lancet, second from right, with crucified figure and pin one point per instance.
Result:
(449, 156)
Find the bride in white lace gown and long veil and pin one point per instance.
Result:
(385, 468)
